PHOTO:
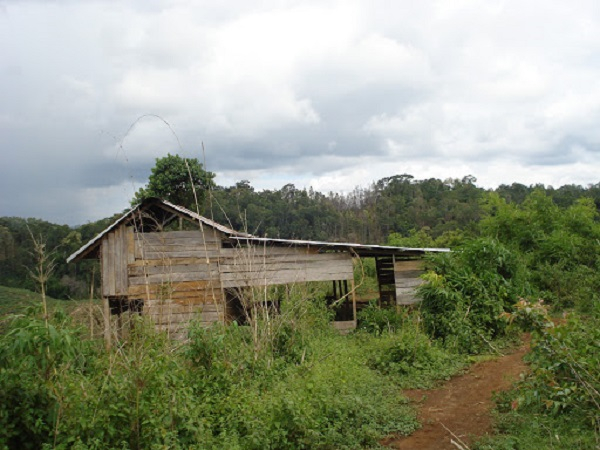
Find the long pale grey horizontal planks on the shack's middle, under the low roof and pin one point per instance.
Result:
(261, 266)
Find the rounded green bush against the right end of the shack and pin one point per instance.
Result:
(466, 293)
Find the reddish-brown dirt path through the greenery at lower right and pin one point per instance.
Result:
(461, 408)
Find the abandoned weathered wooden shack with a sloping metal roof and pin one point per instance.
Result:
(173, 275)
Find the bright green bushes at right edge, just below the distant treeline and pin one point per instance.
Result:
(560, 246)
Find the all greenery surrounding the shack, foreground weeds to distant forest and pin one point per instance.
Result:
(526, 258)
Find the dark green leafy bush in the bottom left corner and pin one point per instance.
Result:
(32, 357)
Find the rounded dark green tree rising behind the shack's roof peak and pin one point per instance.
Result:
(181, 181)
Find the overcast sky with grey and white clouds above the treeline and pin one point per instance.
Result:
(329, 94)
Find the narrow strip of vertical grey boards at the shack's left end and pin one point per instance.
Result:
(116, 255)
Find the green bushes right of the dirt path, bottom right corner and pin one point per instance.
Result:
(556, 404)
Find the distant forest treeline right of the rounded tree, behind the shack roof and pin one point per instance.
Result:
(399, 205)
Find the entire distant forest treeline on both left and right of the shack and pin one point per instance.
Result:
(398, 210)
